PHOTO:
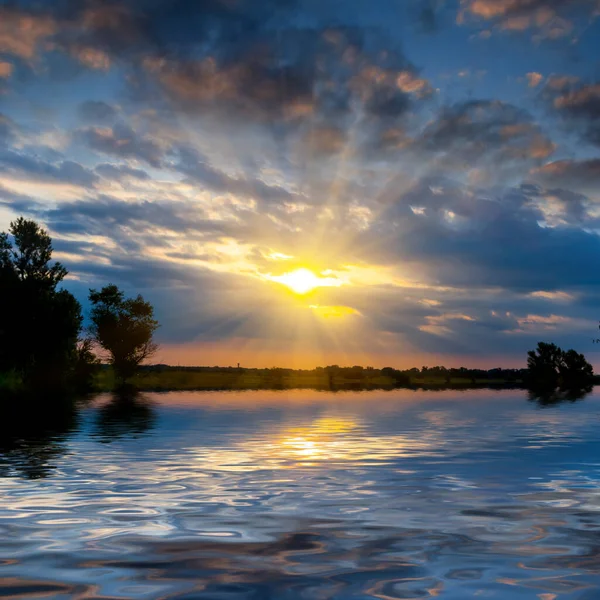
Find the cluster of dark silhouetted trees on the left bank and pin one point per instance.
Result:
(43, 342)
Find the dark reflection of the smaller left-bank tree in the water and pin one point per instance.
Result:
(127, 414)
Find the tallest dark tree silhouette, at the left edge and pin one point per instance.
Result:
(39, 324)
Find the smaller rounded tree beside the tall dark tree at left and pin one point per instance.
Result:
(123, 328)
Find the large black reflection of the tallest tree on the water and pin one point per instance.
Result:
(34, 433)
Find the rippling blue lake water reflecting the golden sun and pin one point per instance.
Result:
(289, 495)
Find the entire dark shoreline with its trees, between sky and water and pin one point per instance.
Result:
(43, 344)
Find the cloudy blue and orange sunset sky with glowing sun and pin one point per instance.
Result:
(310, 182)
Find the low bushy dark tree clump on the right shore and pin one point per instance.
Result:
(549, 367)
